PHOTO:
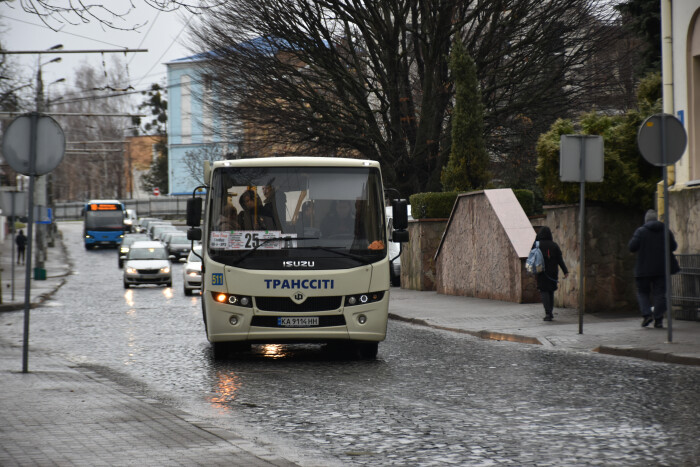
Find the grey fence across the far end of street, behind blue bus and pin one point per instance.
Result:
(165, 207)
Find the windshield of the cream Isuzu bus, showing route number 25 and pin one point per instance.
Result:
(284, 217)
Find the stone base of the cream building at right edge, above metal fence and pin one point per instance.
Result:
(684, 206)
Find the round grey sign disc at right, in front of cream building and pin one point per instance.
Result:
(649, 139)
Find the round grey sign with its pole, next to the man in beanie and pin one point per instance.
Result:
(662, 140)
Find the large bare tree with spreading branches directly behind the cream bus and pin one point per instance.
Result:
(329, 76)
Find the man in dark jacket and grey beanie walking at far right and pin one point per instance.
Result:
(650, 268)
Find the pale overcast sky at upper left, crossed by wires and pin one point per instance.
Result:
(163, 34)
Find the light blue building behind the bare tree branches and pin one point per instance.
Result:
(195, 133)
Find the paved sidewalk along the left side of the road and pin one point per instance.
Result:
(62, 414)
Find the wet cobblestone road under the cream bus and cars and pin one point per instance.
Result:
(431, 398)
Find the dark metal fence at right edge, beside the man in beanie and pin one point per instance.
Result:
(685, 288)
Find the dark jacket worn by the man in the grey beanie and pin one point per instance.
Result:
(648, 243)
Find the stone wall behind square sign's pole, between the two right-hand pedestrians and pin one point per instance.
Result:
(609, 278)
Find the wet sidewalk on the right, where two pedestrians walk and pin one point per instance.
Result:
(605, 333)
